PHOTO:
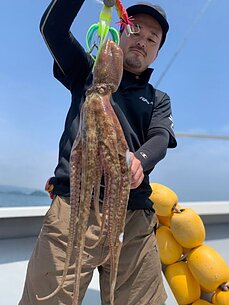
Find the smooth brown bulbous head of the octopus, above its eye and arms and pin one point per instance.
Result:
(109, 66)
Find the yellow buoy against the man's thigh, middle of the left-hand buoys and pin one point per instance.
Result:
(169, 249)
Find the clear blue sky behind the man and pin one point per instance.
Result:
(192, 67)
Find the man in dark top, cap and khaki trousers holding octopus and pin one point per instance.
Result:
(145, 116)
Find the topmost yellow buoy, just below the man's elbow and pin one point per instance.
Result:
(163, 198)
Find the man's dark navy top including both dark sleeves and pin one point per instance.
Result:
(144, 113)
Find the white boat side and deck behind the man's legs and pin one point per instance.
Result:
(20, 226)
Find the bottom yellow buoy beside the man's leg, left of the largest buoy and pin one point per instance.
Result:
(182, 283)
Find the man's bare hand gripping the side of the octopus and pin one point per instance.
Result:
(137, 174)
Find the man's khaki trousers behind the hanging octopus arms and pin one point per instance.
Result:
(139, 280)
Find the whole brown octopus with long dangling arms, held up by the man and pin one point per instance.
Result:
(99, 150)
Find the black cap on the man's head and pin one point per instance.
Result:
(153, 10)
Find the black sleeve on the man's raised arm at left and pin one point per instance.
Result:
(68, 54)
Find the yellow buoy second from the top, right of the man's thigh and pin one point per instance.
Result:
(187, 228)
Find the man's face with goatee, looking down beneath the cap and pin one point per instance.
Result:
(140, 49)
